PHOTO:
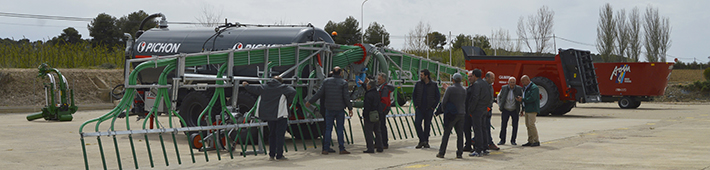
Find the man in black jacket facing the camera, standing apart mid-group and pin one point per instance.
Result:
(426, 97)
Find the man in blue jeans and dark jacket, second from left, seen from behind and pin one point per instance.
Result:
(334, 95)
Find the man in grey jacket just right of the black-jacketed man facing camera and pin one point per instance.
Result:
(455, 96)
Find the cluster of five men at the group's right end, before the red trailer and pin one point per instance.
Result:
(471, 108)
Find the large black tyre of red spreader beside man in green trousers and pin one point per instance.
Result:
(549, 97)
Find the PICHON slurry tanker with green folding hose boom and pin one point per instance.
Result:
(192, 77)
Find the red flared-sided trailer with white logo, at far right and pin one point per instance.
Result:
(631, 83)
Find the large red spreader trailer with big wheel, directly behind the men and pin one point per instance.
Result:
(563, 79)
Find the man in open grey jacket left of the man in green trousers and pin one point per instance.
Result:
(509, 105)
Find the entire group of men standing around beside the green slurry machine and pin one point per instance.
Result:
(463, 108)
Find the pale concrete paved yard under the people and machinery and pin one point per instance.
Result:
(592, 136)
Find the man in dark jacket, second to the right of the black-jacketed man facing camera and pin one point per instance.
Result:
(478, 98)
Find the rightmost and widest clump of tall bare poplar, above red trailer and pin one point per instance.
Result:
(657, 35)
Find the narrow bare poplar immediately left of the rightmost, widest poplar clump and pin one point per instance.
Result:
(634, 48)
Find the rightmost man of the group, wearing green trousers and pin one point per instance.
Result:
(531, 106)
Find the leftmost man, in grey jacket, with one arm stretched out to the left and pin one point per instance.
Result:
(273, 108)
